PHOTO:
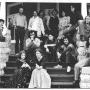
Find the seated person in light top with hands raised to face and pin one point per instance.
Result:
(32, 43)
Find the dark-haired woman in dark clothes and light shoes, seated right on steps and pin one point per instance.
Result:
(66, 54)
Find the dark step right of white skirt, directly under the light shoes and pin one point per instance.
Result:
(52, 70)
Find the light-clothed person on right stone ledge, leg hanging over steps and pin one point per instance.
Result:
(82, 58)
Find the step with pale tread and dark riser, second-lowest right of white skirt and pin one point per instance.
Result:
(61, 77)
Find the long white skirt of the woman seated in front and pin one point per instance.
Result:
(40, 79)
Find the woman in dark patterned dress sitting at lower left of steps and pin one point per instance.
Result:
(22, 74)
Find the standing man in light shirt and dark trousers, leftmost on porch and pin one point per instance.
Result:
(21, 25)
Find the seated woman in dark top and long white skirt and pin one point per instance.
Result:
(40, 78)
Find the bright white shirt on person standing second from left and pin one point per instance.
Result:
(36, 23)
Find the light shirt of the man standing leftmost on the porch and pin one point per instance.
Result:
(20, 20)
